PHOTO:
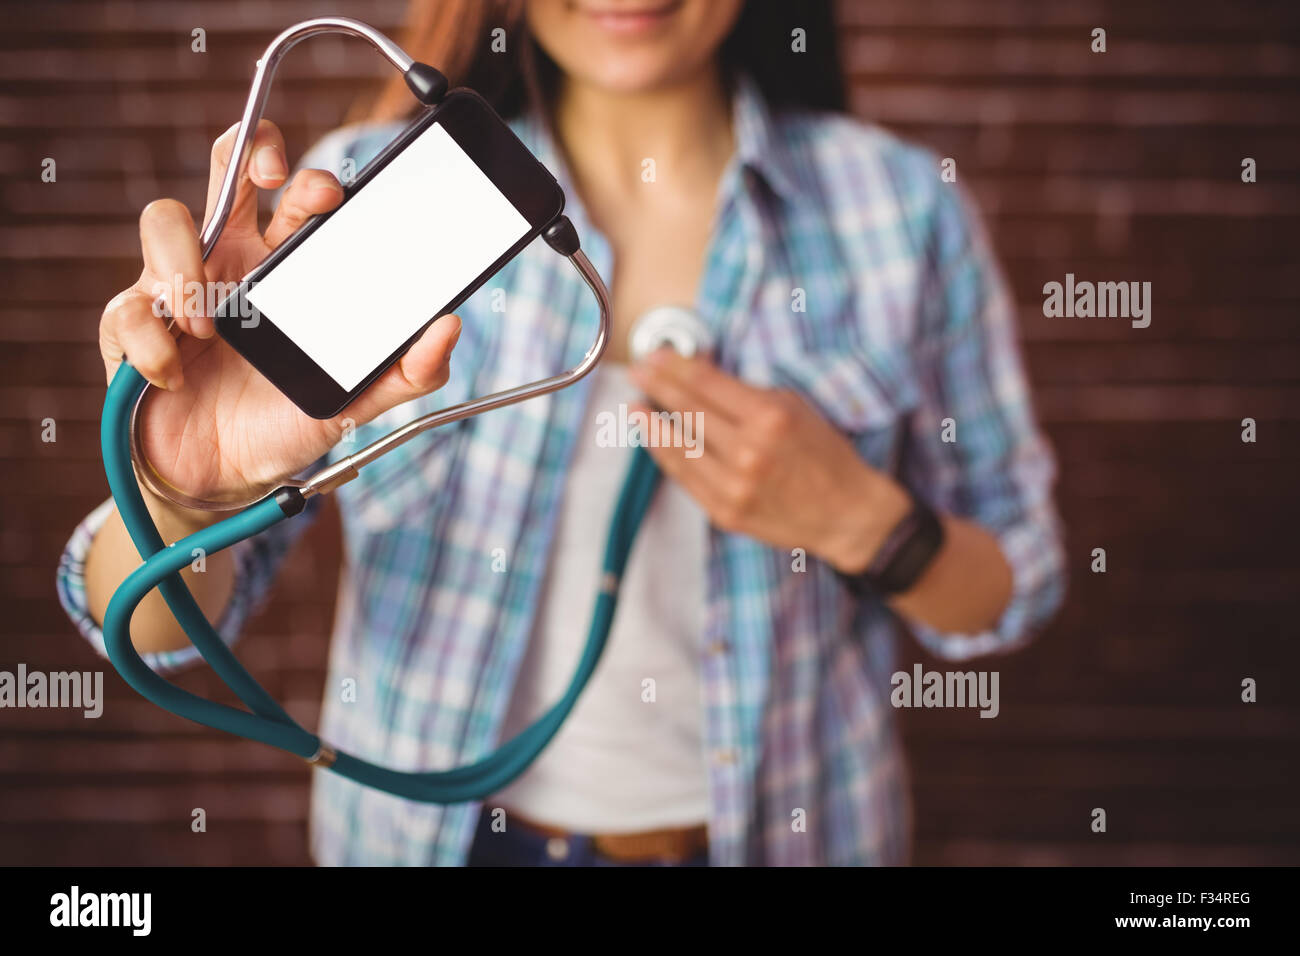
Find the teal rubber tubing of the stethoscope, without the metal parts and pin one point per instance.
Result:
(266, 721)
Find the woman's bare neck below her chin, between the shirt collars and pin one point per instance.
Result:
(608, 137)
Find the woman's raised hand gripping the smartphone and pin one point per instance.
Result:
(220, 430)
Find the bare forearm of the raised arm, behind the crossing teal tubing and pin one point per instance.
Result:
(112, 557)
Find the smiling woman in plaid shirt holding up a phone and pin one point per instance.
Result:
(865, 374)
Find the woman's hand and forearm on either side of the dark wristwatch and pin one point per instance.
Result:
(773, 469)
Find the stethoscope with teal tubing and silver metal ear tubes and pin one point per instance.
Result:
(124, 461)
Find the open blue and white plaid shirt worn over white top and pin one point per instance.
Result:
(840, 266)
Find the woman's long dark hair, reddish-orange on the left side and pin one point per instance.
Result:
(458, 38)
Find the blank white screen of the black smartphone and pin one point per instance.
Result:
(391, 258)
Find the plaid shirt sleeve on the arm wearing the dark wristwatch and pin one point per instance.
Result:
(994, 466)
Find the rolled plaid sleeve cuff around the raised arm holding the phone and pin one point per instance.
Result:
(257, 564)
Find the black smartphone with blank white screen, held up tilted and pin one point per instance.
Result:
(445, 206)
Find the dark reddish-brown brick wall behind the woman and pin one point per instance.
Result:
(1117, 166)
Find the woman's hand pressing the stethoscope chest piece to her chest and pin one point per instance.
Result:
(772, 468)
